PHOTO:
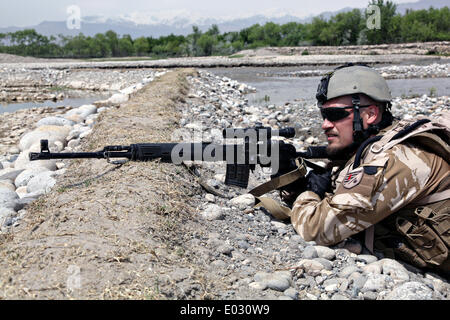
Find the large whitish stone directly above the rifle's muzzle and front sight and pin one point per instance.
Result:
(49, 132)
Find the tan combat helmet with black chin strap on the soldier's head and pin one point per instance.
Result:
(355, 79)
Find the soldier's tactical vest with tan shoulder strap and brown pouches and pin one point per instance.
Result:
(420, 232)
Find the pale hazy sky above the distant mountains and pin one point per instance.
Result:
(31, 12)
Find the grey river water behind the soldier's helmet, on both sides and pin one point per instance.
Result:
(275, 89)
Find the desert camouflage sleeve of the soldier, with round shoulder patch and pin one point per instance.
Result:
(390, 181)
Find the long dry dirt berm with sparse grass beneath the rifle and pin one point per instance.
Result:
(112, 232)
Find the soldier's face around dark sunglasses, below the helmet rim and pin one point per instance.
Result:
(340, 132)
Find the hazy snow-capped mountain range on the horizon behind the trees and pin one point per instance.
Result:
(181, 23)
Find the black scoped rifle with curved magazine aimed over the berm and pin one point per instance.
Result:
(258, 148)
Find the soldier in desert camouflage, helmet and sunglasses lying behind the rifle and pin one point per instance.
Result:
(394, 177)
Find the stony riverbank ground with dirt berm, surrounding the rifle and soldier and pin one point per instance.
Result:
(89, 229)
